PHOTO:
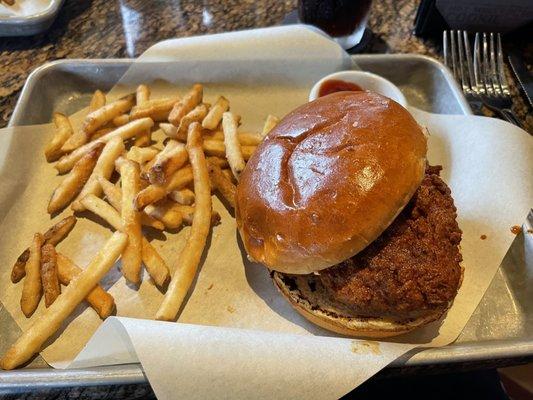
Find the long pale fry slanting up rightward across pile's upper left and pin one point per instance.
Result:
(127, 131)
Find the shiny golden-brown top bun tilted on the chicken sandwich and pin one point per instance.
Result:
(328, 180)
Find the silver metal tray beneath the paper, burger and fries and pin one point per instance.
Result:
(500, 332)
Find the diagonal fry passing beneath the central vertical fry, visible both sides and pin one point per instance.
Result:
(154, 264)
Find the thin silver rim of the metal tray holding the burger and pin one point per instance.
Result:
(133, 373)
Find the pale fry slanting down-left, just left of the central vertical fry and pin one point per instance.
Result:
(104, 168)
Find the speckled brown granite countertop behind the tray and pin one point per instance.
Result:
(125, 28)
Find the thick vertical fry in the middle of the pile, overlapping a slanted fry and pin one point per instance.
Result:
(131, 221)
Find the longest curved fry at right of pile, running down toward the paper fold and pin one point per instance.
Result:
(192, 252)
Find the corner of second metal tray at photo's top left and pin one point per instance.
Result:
(31, 24)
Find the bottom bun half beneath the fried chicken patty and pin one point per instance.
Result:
(351, 325)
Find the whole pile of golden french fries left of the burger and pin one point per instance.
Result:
(115, 167)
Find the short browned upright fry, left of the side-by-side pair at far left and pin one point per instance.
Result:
(32, 289)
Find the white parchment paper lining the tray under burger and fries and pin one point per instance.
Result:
(236, 336)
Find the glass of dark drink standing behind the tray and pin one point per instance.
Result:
(344, 20)
